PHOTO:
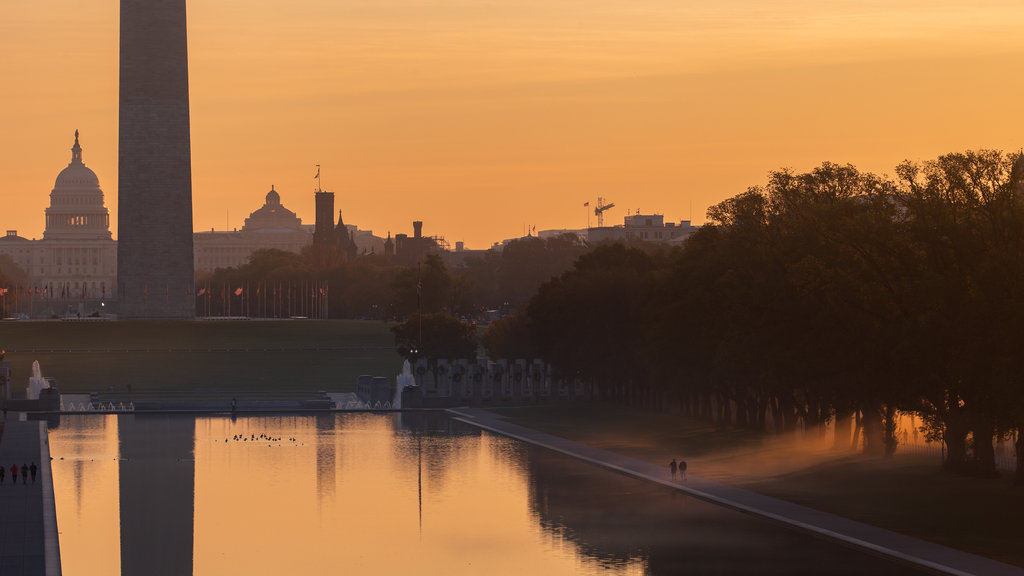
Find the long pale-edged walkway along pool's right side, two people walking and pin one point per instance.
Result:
(927, 555)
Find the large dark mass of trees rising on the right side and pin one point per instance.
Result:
(832, 296)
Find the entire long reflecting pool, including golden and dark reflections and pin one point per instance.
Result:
(385, 495)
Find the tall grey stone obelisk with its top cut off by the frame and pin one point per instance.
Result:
(155, 234)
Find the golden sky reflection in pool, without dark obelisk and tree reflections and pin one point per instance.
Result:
(297, 495)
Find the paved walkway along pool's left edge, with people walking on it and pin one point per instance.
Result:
(28, 516)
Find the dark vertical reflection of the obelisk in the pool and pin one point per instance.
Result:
(156, 478)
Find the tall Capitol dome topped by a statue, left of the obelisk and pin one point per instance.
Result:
(77, 210)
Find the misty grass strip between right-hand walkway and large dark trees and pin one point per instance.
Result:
(907, 495)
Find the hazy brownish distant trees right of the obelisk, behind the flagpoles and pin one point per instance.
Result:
(278, 283)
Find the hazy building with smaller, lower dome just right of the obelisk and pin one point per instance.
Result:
(272, 226)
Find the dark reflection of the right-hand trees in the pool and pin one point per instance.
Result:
(616, 520)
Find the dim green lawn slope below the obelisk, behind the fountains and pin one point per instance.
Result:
(226, 356)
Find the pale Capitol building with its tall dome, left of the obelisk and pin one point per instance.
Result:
(76, 261)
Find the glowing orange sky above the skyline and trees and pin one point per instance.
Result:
(484, 117)
